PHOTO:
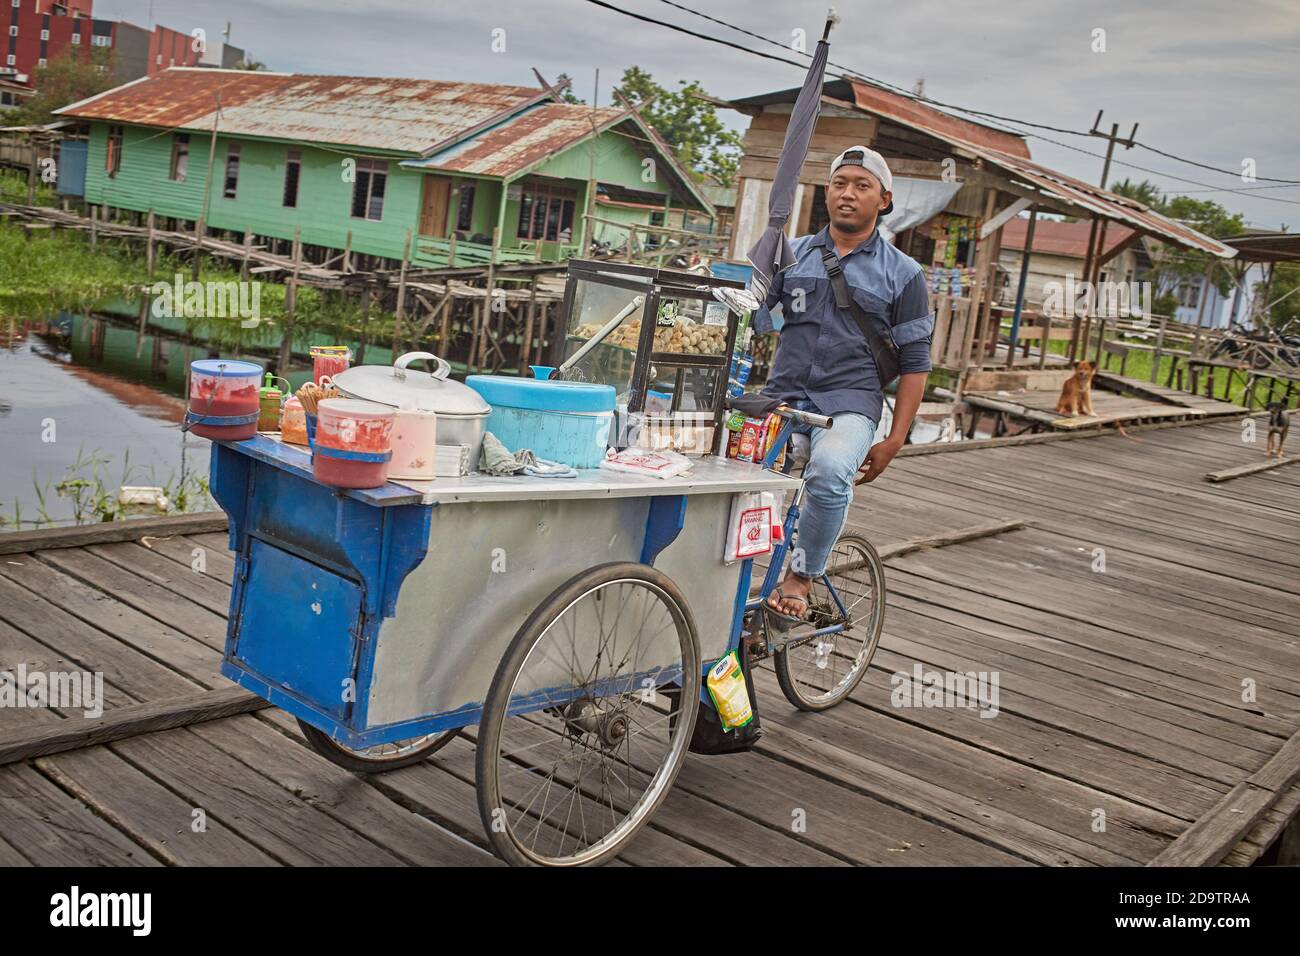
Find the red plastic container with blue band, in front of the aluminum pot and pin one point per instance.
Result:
(354, 443)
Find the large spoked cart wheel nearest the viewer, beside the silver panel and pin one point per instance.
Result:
(579, 742)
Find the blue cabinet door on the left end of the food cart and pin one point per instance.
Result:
(298, 628)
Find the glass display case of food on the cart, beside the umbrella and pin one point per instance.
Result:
(658, 338)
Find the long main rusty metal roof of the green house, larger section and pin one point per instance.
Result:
(380, 114)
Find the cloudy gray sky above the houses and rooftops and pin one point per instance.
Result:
(1208, 81)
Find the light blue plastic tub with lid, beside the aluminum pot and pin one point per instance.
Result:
(561, 421)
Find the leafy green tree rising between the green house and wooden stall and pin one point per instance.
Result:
(687, 123)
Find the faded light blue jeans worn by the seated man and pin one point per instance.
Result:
(834, 462)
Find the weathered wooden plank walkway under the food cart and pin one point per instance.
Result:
(1145, 631)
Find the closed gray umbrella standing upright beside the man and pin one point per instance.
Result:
(772, 254)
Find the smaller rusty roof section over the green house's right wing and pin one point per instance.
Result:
(523, 141)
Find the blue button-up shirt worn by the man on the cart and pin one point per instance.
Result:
(822, 354)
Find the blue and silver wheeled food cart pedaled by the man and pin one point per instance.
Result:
(567, 624)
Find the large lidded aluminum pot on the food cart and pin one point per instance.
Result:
(462, 412)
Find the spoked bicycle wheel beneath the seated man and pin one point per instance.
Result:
(821, 672)
